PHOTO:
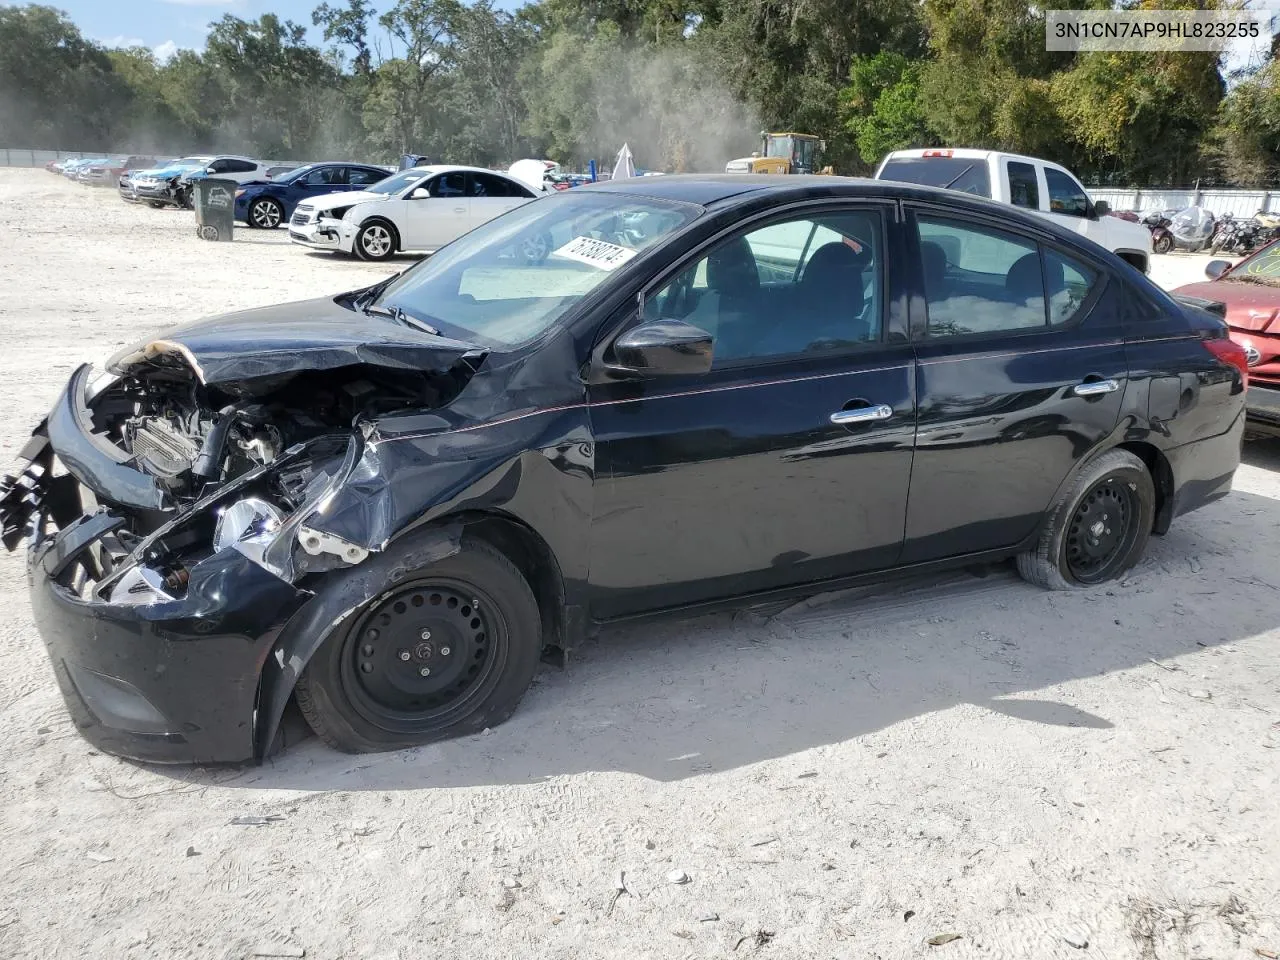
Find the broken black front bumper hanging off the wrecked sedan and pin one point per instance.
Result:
(176, 680)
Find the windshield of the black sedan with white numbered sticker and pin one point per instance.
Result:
(511, 280)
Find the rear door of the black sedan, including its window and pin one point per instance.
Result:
(1021, 373)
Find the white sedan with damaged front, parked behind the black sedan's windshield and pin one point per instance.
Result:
(420, 209)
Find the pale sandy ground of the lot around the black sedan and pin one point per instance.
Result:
(967, 756)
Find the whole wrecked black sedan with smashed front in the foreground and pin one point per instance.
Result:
(618, 401)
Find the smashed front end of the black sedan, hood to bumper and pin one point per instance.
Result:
(175, 511)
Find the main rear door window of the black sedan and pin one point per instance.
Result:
(979, 280)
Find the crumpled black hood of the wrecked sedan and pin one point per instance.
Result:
(292, 339)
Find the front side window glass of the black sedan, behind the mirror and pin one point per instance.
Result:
(799, 287)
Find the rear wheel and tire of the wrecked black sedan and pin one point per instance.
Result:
(1098, 529)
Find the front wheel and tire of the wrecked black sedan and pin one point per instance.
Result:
(364, 691)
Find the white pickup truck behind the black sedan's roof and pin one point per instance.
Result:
(1027, 182)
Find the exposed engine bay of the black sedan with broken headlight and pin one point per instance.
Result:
(177, 469)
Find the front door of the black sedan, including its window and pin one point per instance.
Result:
(790, 460)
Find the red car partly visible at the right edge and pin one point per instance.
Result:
(1251, 291)
